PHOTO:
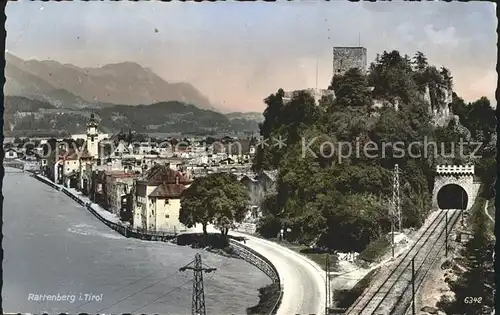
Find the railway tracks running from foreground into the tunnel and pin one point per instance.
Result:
(391, 294)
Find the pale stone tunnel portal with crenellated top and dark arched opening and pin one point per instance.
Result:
(446, 194)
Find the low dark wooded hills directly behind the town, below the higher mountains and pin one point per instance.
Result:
(24, 116)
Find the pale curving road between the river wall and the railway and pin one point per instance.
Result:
(303, 280)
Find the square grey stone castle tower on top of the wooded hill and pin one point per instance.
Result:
(345, 58)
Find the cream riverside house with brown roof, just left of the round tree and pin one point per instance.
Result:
(157, 196)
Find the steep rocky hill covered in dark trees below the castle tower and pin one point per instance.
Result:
(342, 197)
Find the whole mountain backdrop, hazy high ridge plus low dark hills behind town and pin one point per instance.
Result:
(49, 97)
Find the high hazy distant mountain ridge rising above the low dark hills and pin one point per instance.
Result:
(72, 87)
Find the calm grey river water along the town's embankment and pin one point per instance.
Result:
(53, 246)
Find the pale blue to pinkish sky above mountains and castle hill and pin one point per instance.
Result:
(238, 53)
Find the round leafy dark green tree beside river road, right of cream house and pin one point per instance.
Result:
(218, 199)
